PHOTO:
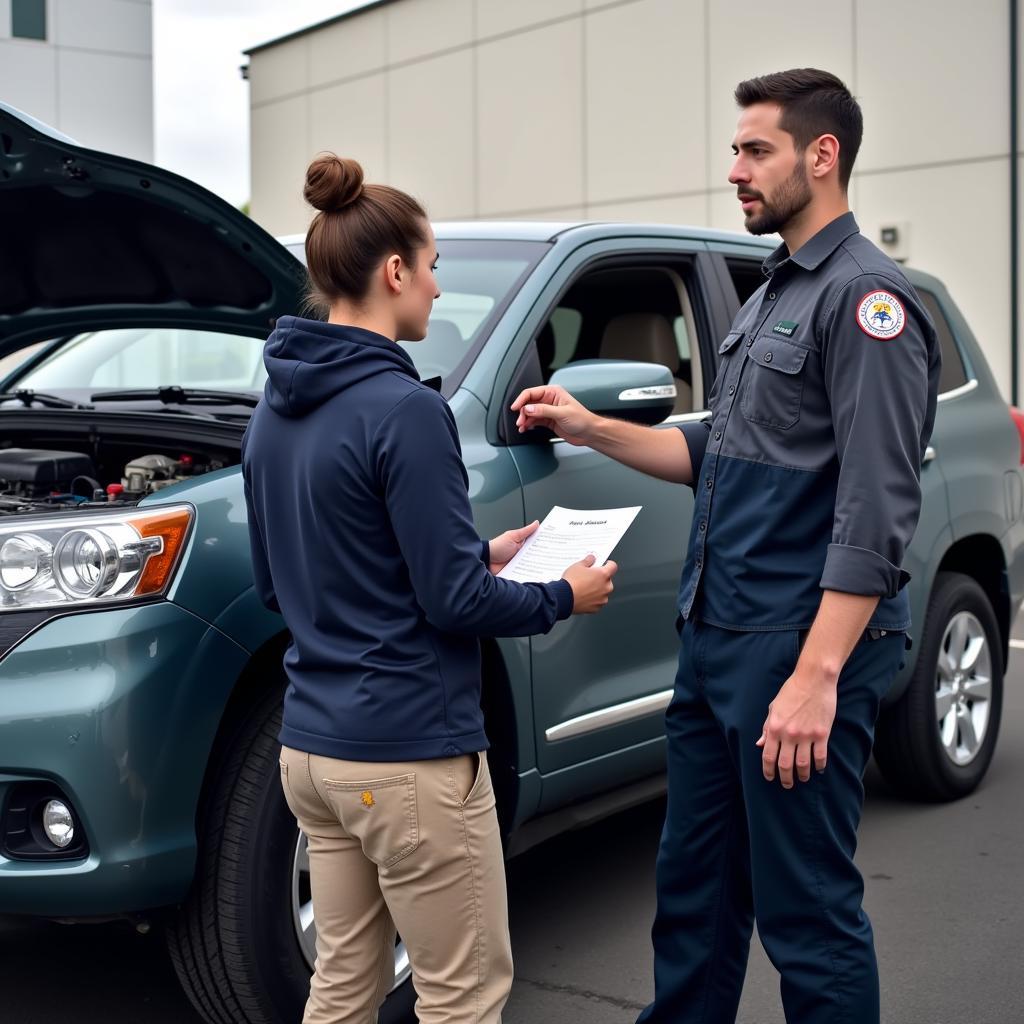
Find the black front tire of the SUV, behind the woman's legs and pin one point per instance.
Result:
(234, 943)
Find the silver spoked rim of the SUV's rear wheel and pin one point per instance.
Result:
(964, 689)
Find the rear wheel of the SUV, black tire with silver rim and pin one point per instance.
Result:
(937, 741)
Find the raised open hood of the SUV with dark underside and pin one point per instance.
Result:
(90, 241)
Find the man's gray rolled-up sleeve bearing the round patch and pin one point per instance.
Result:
(879, 395)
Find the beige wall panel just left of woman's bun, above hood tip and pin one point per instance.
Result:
(280, 156)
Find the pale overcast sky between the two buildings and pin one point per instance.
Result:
(201, 102)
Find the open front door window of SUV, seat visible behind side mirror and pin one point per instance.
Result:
(639, 314)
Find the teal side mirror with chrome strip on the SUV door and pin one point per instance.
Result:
(643, 393)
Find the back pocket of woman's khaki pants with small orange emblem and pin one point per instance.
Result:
(381, 814)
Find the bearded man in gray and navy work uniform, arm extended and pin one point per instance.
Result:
(792, 606)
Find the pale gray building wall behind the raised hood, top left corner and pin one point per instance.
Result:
(92, 77)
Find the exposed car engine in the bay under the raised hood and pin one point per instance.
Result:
(37, 480)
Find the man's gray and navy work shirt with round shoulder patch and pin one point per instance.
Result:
(807, 472)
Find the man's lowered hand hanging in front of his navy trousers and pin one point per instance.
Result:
(797, 729)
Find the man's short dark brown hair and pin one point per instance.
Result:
(815, 104)
